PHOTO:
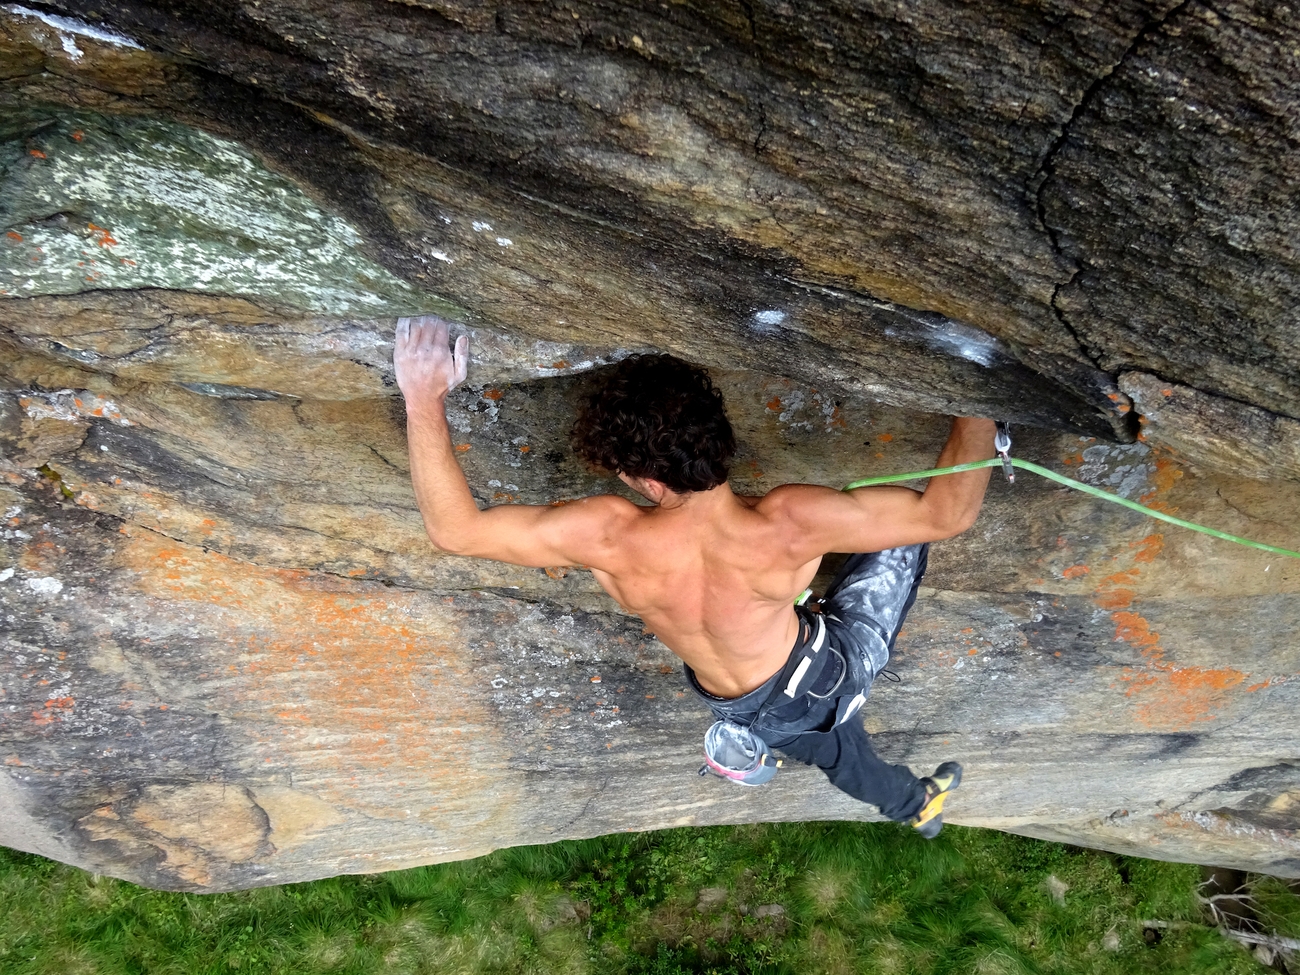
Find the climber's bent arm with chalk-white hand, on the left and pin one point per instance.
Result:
(579, 534)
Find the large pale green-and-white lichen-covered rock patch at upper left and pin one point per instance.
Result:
(97, 203)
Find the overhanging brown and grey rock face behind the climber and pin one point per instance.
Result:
(232, 658)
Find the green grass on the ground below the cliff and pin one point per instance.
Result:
(818, 898)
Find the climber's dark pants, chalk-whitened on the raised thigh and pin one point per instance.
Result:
(804, 730)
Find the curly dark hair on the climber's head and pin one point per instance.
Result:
(660, 418)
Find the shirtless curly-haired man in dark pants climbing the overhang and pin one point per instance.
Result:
(713, 574)
